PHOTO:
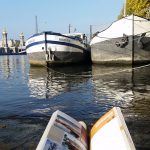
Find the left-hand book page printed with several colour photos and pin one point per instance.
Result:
(63, 132)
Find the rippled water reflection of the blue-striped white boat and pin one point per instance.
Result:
(47, 83)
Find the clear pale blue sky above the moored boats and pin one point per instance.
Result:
(18, 16)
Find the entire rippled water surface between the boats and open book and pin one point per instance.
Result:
(29, 95)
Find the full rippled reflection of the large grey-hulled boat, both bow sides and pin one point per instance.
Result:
(123, 87)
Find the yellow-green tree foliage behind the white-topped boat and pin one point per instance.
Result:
(137, 7)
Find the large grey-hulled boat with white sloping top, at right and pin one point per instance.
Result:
(125, 41)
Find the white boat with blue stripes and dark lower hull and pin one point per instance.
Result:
(55, 48)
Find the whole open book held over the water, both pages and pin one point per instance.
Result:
(65, 133)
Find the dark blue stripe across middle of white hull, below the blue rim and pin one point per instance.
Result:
(55, 42)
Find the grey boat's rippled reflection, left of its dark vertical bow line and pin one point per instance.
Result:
(113, 83)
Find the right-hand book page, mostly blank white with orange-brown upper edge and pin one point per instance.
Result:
(110, 132)
